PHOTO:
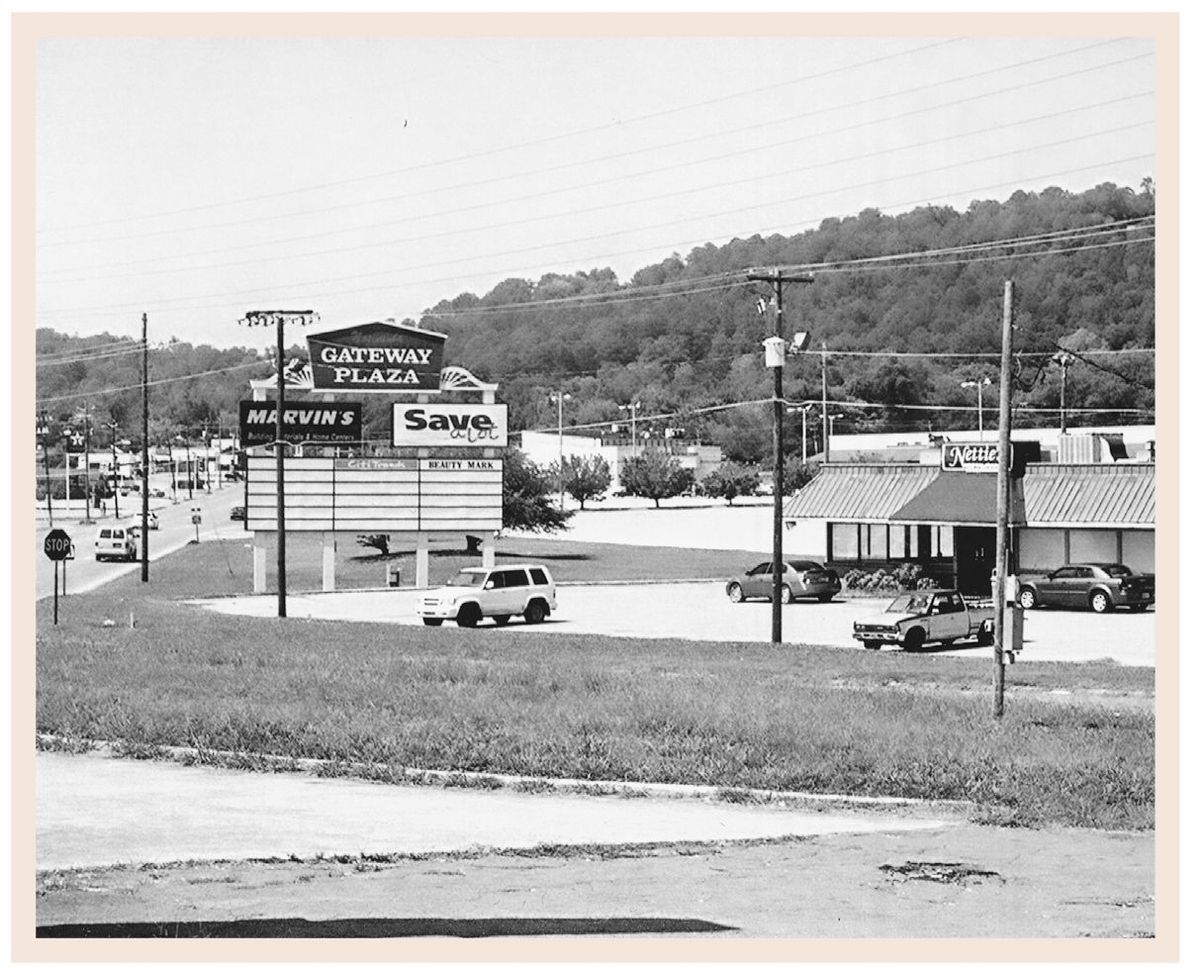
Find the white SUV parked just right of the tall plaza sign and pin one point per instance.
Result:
(501, 593)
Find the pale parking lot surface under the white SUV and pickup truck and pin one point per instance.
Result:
(701, 611)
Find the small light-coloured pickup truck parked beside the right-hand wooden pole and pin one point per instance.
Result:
(920, 617)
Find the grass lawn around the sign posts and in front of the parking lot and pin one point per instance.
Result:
(730, 715)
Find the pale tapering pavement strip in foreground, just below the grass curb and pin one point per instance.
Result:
(99, 811)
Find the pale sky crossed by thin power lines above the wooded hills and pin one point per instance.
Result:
(199, 178)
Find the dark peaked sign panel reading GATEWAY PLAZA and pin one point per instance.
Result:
(377, 357)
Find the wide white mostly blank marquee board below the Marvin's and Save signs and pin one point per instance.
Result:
(323, 495)
